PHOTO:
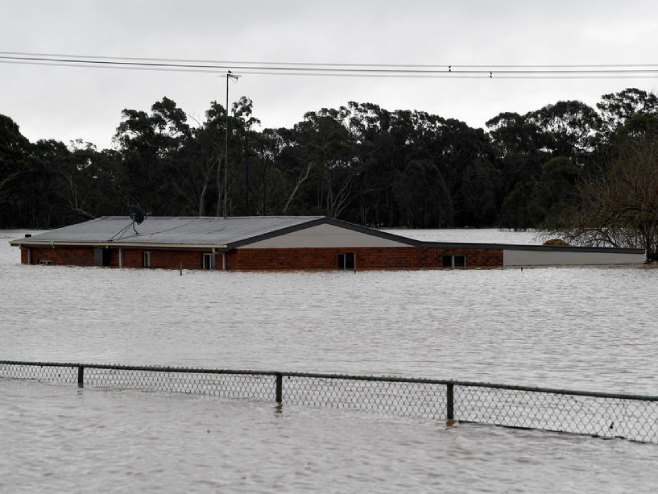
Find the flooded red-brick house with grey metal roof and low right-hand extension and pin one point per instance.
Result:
(278, 243)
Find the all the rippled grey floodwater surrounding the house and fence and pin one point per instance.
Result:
(577, 328)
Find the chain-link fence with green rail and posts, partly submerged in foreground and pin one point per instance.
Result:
(605, 415)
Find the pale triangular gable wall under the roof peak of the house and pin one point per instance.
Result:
(323, 236)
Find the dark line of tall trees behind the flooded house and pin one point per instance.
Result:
(360, 163)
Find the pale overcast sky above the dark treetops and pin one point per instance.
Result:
(85, 103)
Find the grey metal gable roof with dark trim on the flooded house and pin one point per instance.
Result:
(188, 232)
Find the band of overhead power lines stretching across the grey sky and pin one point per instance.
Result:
(463, 71)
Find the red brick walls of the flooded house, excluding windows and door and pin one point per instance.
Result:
(275, 259)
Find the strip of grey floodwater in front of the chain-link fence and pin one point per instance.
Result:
(61, 439)
